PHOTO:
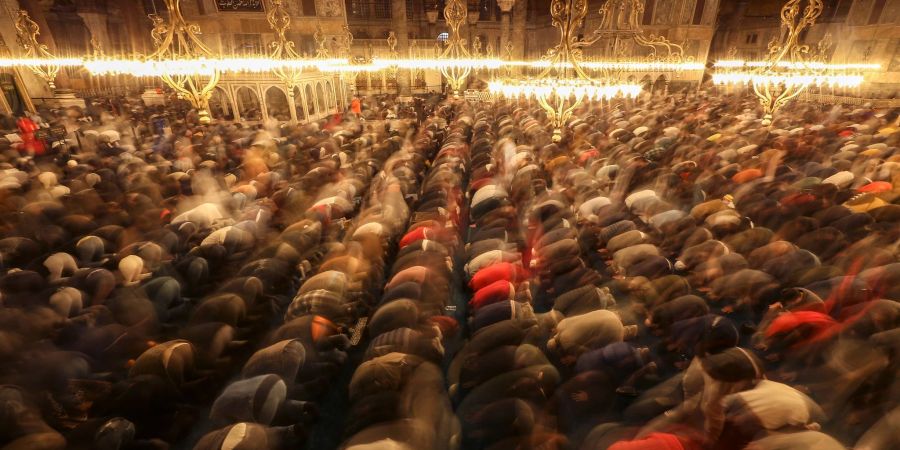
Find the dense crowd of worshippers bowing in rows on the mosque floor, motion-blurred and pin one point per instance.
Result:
(671, 275)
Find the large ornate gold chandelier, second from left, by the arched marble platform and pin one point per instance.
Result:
(177, 40)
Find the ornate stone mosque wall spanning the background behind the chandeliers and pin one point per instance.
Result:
(708, 29)
